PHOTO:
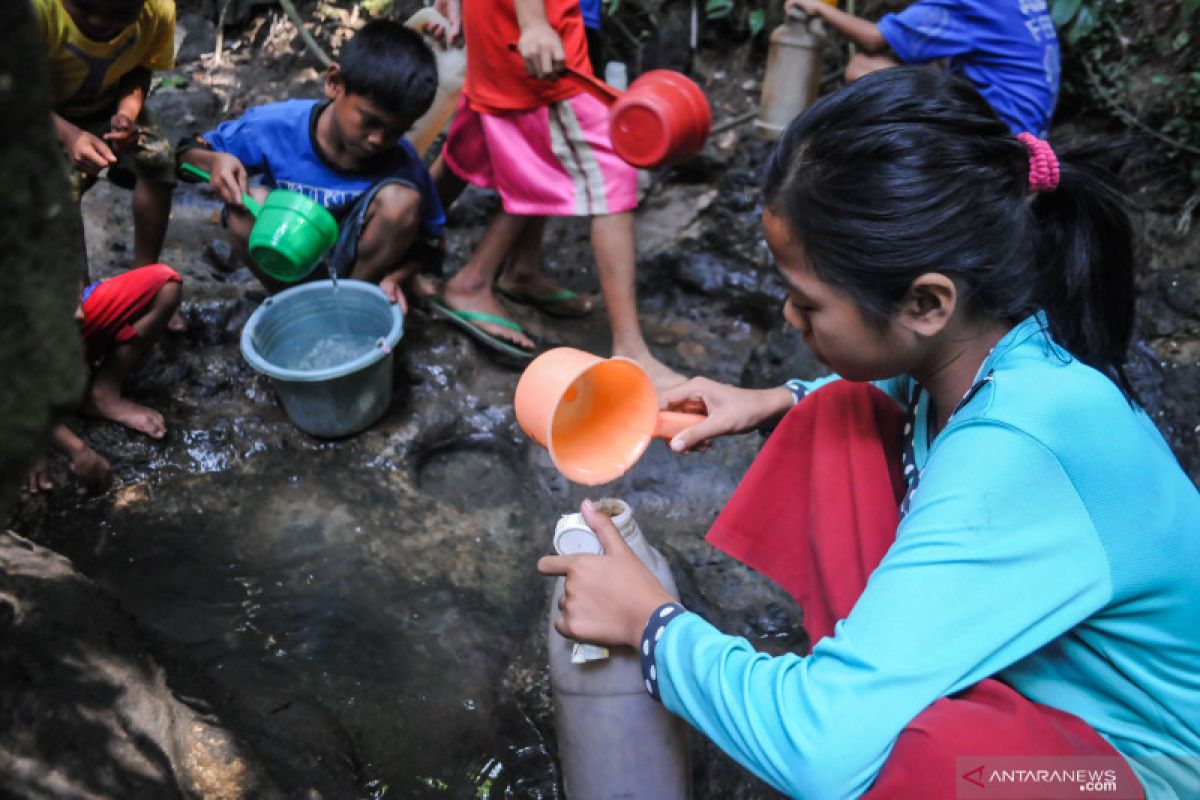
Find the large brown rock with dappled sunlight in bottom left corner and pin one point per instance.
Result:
(86, 711)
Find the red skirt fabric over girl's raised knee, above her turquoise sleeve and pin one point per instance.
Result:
(817, 512)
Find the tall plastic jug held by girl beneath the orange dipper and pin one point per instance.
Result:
(614, 739)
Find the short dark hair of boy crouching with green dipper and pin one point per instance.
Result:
(393, 67)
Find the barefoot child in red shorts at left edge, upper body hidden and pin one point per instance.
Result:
(119, 320)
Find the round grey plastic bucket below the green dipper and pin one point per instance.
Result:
(334, 401)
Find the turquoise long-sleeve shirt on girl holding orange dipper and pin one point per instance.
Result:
(1053, 542)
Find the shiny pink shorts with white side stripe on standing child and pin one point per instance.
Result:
(553, 161)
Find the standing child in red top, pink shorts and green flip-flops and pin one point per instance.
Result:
(544, 147)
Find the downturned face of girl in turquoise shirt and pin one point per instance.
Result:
(836, 329)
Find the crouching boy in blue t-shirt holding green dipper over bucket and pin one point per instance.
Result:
(350, 155)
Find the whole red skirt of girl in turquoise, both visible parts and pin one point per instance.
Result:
(817, 513)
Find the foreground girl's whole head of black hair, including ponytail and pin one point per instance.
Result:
(909, 171)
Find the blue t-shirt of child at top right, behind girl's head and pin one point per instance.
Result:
(1007, 49)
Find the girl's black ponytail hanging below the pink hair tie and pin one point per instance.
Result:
(1087, 268)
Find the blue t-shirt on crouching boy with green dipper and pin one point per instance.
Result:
(279, 143)
